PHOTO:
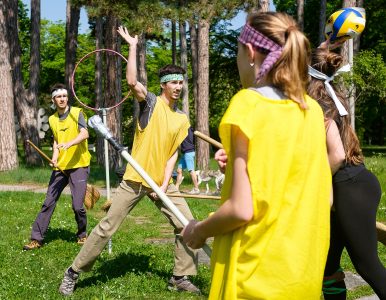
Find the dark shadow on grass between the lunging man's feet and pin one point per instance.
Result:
(119, 266)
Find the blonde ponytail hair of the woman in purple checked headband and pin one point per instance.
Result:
(289, 73)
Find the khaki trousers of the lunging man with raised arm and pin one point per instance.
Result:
(127, 195)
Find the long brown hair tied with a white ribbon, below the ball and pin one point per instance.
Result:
(328, 63)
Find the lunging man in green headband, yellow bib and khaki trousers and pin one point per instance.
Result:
(160, 130)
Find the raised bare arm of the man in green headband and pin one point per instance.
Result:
(136, 87)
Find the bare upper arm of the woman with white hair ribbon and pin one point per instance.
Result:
(335, 149)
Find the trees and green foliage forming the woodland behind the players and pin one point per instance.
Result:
(195, 34)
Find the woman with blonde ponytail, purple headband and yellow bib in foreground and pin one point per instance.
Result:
(271, 232)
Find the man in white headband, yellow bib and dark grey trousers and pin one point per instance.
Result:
(70, 155)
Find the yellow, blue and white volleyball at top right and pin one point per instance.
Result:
(345, 24)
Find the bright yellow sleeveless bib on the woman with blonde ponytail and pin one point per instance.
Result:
(282, 252)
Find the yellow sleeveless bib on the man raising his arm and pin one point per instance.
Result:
(157, 142)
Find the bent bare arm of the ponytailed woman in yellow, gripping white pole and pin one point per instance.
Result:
(237, 210)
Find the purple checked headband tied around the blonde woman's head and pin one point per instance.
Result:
(263, 44)
